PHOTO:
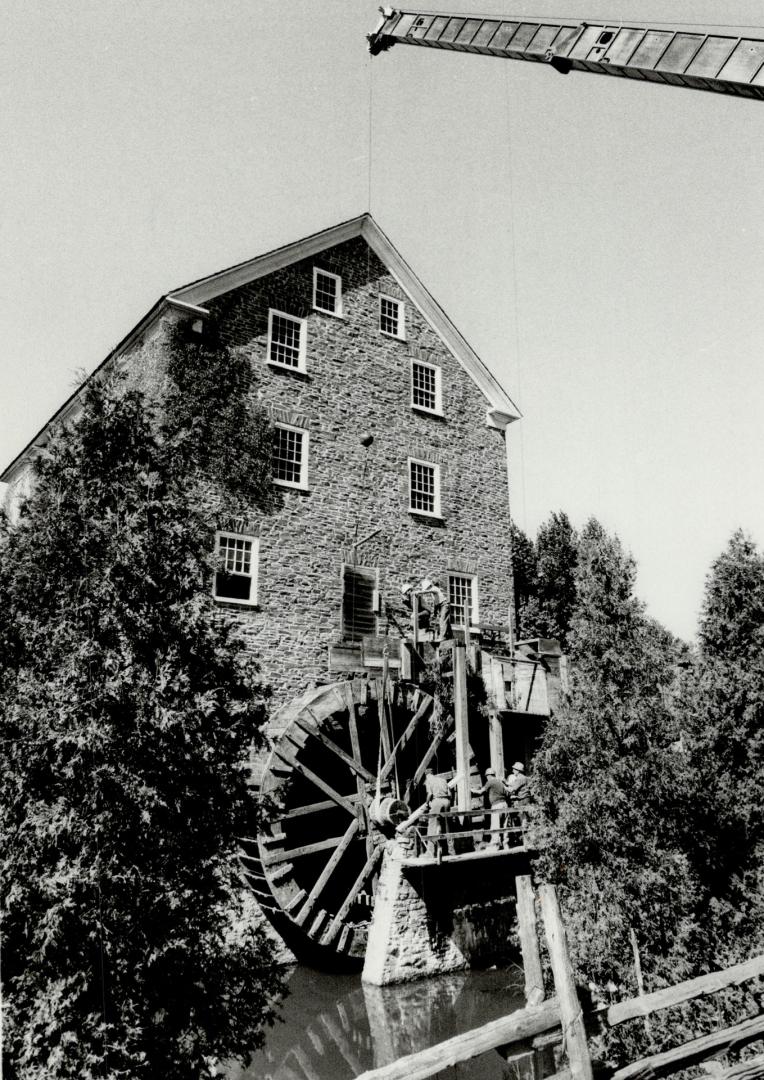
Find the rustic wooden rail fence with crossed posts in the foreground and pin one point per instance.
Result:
(562, 1020)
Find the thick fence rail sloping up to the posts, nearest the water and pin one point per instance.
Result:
(519, 1025)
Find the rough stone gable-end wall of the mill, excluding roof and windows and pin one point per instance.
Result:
(358, 382)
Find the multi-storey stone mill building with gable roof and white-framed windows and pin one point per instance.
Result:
(390, 451)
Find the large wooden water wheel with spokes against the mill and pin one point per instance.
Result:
(347, 763)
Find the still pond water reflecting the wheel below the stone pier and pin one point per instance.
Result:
(334, 1028)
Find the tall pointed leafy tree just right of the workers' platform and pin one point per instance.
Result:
(614, 800)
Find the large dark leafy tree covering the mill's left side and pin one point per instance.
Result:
(127, 712)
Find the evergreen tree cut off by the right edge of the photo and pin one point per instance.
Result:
(726, 725)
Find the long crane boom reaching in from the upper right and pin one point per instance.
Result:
(676, 57)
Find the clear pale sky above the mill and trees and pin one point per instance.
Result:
(599, 242)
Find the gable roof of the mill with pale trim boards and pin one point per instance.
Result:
(193, 298)
